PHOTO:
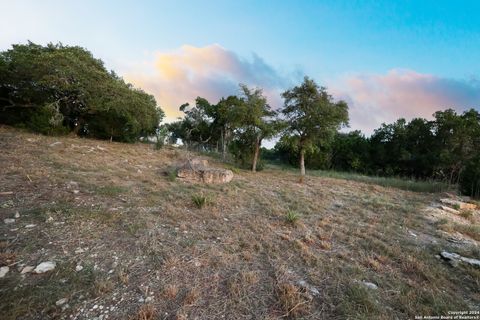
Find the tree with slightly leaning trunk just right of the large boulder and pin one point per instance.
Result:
(254, 120)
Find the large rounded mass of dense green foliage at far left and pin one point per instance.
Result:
(56, 89)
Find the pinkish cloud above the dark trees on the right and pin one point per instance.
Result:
(377, 98)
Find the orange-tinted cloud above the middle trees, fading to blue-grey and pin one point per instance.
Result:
(210, 72)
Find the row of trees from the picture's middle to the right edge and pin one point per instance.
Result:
(307, 128)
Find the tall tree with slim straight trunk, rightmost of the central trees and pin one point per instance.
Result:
(312, 117)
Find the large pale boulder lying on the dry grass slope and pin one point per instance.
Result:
(198, 170)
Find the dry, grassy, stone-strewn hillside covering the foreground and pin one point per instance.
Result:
(130, 243)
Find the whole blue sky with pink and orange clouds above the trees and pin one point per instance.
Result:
(387, 59)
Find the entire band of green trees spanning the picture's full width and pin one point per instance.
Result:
(57, 89)
